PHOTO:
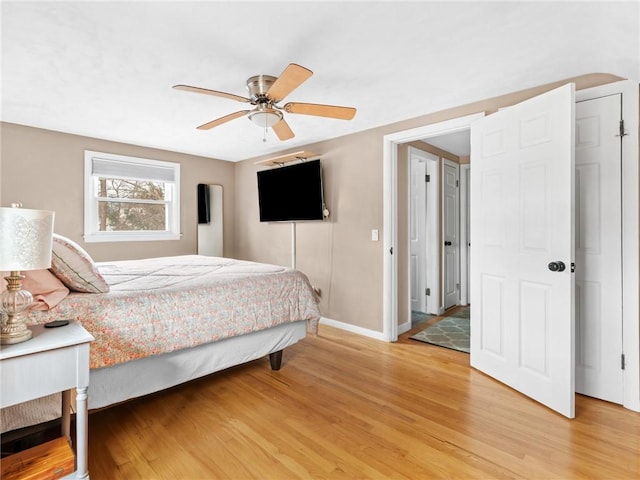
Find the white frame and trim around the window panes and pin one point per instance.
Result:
(93, 235)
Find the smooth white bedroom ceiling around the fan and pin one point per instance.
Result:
(105, 69)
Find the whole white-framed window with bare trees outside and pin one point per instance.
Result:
(130, 199)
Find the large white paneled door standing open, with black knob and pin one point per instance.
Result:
(522, 201)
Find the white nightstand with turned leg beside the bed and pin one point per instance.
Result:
(54, 360)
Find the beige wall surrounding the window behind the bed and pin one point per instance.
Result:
(45, 170)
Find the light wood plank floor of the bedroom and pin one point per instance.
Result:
(345, 406)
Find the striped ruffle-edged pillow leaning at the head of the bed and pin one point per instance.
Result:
(73, 265)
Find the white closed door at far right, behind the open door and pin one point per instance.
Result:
(598, 249)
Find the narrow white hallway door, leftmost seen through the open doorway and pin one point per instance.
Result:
(418, 231)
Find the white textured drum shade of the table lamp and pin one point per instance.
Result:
(25, 239)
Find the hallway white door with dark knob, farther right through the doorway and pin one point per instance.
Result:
(450, 233)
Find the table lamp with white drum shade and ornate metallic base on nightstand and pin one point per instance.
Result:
(25, 244)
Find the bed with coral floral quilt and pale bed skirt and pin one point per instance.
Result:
(164, 321)
